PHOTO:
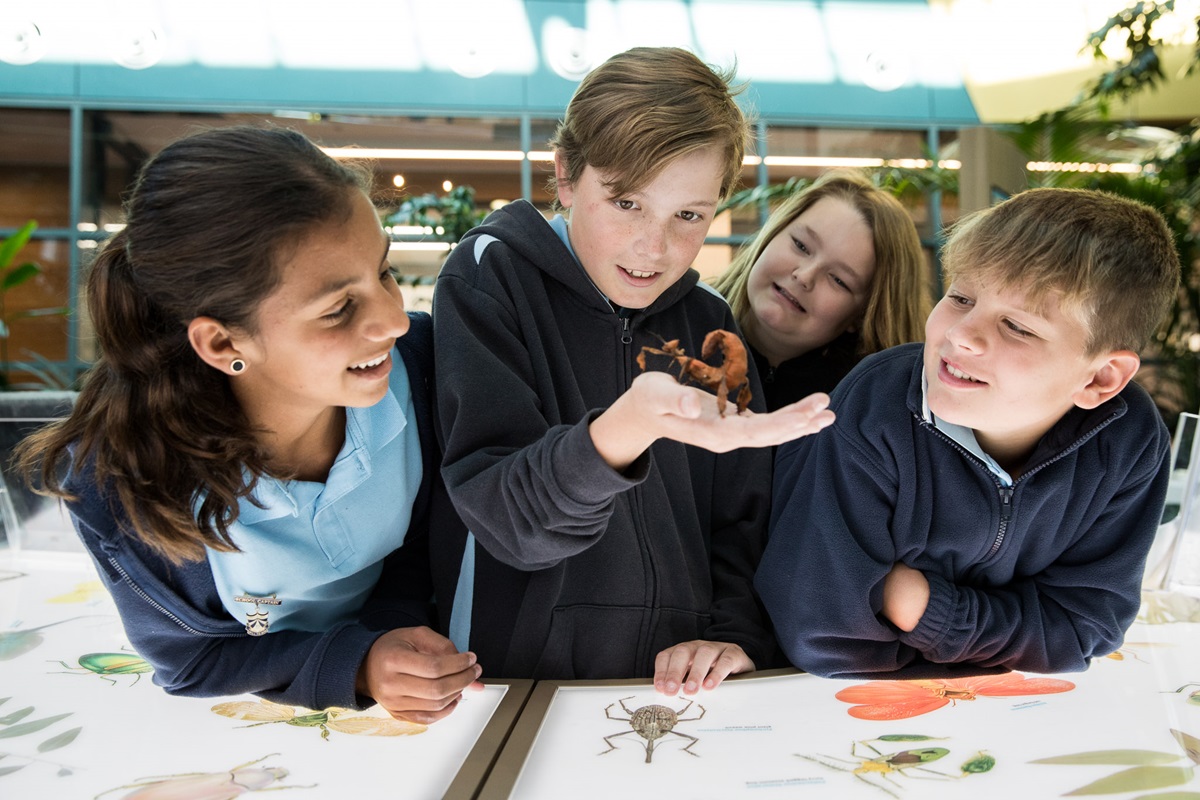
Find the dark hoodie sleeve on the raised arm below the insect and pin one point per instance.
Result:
(532, 494)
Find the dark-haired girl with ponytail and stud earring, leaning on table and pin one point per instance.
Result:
(251, 461)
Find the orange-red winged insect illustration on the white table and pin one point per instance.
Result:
(899, 700)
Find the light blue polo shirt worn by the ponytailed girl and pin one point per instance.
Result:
(320, 548)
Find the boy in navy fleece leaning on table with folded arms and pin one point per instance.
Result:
(987, 501)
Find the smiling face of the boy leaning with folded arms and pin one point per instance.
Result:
(1005, 368)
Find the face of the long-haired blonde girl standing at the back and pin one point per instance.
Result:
(812, 282)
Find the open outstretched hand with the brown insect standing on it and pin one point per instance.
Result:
(659, 407)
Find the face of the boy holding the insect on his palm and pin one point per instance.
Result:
(635, 246)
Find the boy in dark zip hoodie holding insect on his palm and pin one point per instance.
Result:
(615, 525)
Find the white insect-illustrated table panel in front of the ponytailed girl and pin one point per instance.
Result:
(81, 717)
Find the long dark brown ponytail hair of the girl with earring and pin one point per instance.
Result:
(208, 224)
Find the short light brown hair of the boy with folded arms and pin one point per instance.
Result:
(1112, 258)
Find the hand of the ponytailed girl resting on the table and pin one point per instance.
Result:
(417, 675)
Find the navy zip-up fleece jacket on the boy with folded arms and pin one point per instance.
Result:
(1040, 576)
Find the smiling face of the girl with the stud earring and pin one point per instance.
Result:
(325, 338)
